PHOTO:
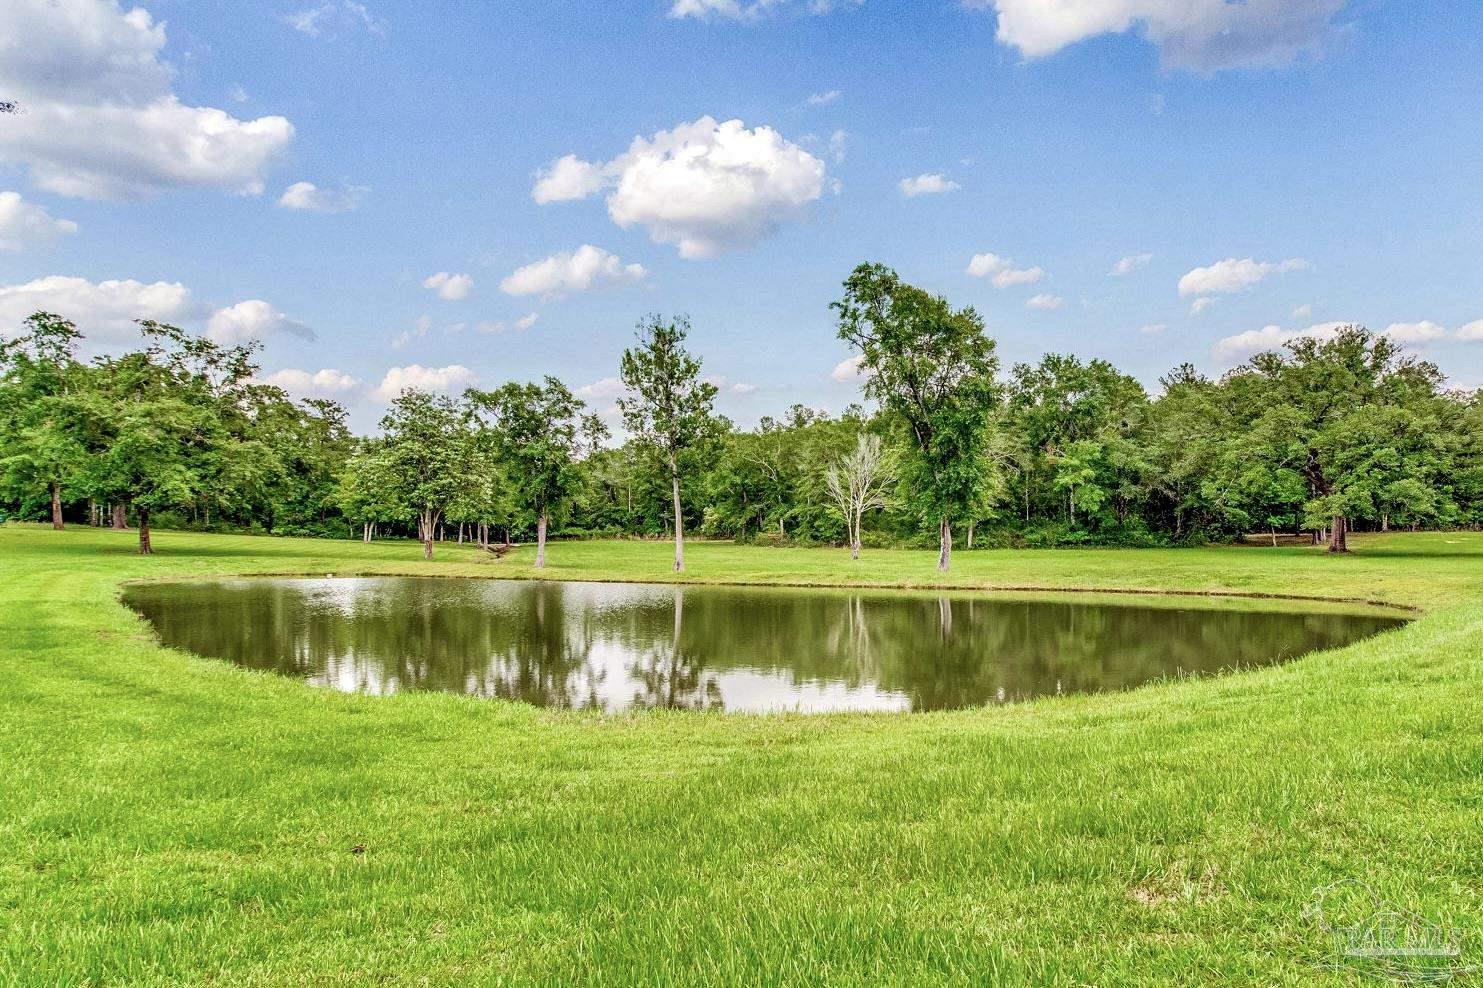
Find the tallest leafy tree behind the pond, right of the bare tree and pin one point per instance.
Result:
(934, 367)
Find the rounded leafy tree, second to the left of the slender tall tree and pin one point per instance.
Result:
(426, 446)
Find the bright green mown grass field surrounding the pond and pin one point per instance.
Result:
(167, 820)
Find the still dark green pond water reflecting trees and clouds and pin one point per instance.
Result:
(609, 646)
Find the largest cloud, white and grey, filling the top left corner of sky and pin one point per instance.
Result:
(102, 121)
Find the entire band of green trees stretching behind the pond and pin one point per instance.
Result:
(1318, 440)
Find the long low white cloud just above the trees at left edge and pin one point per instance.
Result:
(105, 311)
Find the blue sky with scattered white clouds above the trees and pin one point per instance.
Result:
(446, 195)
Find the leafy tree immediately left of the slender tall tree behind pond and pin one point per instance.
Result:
(539, 435)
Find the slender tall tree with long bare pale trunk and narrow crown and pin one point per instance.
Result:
(668, 409)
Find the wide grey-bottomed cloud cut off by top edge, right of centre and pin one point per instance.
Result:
(1196, 35)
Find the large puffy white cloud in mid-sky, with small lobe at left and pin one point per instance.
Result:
(707, 188)
